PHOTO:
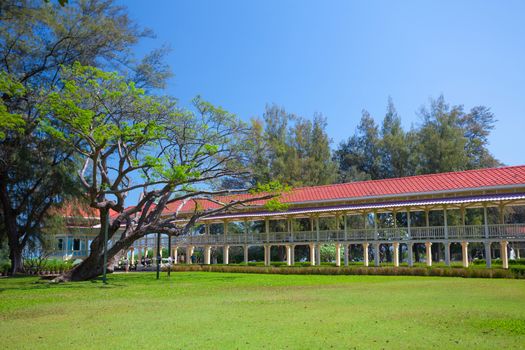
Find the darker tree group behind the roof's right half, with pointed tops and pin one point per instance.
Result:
(448, 139)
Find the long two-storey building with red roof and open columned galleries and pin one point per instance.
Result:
(465, 208)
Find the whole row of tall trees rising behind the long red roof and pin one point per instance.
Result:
(297, 151)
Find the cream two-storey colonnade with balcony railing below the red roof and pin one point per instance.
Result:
(369, 238)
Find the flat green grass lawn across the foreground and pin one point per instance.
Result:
(229, 311)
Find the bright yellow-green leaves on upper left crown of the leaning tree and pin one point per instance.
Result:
(87, 103)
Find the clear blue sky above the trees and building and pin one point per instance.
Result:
(339, 57)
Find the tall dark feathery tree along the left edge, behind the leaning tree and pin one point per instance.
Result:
(36, 40)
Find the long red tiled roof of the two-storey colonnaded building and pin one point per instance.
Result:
(412, 185)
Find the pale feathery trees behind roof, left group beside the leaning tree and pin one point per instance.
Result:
(290, 149)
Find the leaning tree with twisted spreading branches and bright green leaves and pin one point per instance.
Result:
(130, 141)
